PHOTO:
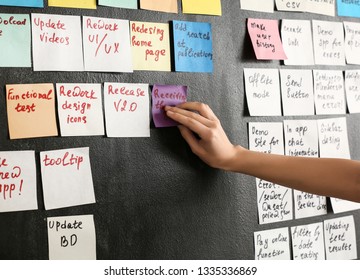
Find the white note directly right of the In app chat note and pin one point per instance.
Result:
(333, 138)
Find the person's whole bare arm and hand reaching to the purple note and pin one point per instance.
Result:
(329, 177)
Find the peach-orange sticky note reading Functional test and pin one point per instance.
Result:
(31, 110)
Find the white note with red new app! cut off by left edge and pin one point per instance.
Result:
(18, 181)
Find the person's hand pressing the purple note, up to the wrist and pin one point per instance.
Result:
(212, 145)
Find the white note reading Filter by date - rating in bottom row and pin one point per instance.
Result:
(308, 242)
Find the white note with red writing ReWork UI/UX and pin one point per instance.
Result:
(107, 45)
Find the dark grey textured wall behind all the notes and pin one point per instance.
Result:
(154, 198)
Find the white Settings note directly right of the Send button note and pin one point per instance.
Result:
(329, 92)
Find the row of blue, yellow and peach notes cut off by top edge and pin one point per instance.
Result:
(205, 7)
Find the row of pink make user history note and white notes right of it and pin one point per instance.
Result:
(322, 44)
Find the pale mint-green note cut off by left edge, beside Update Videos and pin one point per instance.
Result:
(15, 36)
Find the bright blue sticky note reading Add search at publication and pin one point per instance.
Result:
(193, 46)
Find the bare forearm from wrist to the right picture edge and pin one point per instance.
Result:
(329, 177)
